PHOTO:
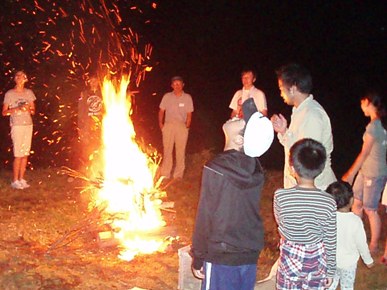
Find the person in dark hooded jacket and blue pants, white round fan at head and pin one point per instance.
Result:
(228, 234)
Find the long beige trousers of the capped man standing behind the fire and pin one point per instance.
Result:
(174, 135)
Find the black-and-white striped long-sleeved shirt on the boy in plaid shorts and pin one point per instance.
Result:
(307, 216)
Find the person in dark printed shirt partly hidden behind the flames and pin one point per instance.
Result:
(90, 110)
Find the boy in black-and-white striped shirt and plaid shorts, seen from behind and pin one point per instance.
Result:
(306, 218)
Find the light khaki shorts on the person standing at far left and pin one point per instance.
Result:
(21, 139)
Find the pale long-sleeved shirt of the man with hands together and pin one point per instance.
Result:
(309, 120)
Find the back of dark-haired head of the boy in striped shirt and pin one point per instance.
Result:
(307, 156)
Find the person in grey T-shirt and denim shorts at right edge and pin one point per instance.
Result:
(370, 166)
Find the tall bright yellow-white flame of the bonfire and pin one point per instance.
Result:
(128, 191)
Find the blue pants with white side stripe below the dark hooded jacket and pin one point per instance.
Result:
(223, 277)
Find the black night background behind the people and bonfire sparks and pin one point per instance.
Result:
(208, 43)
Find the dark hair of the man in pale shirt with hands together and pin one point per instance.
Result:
(297, 75)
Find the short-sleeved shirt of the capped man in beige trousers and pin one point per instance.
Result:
(176, 107)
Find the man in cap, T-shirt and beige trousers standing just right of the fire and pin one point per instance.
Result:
(175, 116)
